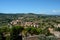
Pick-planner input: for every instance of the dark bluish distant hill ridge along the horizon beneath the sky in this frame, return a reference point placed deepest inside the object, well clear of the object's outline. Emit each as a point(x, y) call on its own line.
point(58, 14)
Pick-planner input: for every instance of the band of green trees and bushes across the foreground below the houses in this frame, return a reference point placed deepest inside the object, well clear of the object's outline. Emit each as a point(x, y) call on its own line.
point(15, 32)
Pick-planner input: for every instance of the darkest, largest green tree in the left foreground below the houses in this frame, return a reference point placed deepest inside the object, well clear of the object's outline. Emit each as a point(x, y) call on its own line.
point(15, 31)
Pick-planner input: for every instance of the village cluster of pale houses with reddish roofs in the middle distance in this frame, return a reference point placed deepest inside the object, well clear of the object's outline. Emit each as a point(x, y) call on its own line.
point(22, 23)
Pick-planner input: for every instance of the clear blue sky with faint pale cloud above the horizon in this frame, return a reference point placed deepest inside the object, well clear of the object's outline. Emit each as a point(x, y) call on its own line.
point(30, 6)
